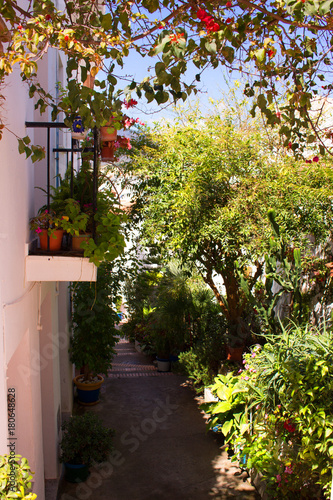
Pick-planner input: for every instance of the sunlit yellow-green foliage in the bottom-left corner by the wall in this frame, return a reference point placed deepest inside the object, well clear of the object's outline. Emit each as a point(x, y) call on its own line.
point(15, 477)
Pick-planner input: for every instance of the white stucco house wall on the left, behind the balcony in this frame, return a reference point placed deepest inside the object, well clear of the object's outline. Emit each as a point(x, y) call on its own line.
point(29, 323)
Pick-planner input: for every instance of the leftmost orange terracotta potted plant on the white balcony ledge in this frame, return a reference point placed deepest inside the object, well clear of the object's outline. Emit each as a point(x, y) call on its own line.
point(47, 224)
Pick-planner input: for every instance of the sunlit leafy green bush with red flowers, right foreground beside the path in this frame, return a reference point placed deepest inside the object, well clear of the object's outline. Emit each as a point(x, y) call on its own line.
point(277, 413)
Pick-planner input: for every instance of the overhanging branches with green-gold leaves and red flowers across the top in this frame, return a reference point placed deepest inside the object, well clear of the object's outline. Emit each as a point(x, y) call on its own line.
point(284, 46)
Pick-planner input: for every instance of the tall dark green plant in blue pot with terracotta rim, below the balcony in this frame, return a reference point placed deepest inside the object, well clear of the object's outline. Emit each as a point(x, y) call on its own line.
point(94, 333)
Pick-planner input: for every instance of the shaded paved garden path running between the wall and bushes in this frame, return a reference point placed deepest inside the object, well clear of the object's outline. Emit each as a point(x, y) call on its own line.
point(162, 450)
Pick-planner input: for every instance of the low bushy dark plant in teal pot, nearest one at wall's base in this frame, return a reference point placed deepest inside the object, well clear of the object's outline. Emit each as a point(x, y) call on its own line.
point(85, 440)
